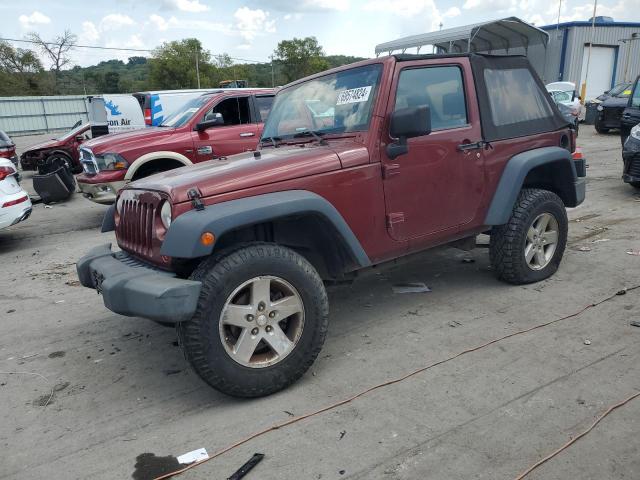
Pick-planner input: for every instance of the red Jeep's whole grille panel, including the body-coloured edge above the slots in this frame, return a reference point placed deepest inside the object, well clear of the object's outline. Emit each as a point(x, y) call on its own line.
point(136, 228)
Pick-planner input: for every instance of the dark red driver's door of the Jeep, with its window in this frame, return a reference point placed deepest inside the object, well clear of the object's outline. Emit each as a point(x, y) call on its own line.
point(437, 186)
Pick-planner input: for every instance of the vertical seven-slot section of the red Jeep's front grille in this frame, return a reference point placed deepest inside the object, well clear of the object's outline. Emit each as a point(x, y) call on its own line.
point(135, 229)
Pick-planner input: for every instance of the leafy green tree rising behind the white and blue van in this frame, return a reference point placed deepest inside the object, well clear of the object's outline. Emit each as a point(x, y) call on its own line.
point(173, 65)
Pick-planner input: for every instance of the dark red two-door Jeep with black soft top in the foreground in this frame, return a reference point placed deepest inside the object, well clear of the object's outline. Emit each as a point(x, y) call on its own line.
point(358, 166)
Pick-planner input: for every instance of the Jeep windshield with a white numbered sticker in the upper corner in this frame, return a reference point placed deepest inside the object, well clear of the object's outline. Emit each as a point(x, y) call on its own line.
point(335, 103)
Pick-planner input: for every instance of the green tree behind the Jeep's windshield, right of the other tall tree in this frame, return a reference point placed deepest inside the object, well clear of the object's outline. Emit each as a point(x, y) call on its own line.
point(300, 57)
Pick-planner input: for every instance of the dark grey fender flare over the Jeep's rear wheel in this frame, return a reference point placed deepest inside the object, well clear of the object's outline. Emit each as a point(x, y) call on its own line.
point(516, 171)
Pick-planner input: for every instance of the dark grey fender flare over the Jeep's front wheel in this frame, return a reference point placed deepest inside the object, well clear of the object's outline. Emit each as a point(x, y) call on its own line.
point(183, 237)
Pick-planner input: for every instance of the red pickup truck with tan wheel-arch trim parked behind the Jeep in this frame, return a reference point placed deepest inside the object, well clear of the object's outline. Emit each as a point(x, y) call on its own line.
point(214, 125)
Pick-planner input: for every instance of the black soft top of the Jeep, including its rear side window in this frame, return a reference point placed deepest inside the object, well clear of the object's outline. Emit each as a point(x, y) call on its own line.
point(512, 99)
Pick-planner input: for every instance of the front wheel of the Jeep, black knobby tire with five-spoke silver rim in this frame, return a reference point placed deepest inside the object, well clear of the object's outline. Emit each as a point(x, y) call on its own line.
point(261, 320)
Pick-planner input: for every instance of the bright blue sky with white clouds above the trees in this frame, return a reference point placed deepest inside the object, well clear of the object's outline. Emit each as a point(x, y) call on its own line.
point(251, 29)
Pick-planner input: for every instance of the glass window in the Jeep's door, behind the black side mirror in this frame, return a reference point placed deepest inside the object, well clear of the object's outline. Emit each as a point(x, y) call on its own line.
point(440, 88)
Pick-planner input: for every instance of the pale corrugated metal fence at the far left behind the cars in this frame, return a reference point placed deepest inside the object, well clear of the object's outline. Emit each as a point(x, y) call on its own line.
point(30, 115)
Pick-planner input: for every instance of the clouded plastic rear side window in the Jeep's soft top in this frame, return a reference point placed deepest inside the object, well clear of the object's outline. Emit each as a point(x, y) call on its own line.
point(514, 97)
